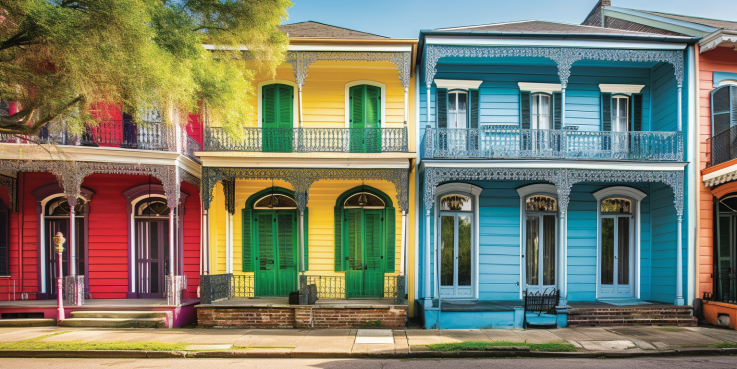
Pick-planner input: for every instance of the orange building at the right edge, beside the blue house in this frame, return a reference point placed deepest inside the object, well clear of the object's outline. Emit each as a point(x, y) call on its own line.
point(713, 173)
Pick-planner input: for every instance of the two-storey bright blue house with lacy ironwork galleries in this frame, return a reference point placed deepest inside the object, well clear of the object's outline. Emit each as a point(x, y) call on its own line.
point(552, 160)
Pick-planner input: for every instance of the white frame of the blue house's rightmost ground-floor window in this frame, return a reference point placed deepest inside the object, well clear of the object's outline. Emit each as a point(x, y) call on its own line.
point(636, 197)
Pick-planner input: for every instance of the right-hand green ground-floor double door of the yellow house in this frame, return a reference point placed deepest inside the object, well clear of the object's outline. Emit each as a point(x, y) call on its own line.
point(365, 272)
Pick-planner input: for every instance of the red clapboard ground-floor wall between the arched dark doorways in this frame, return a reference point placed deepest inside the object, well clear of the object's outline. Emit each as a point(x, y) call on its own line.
point(107, 234)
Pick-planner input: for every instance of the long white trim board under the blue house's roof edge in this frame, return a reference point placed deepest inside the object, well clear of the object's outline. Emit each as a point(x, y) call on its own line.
point(507, 41)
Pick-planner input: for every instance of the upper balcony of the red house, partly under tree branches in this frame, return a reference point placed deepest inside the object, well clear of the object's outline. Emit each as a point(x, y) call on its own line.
point(126, 134)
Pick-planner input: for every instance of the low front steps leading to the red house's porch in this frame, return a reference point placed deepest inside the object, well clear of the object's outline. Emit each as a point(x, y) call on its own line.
point(116, 319)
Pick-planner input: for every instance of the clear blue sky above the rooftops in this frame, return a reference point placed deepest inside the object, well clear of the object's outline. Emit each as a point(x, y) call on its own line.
point(404, 18)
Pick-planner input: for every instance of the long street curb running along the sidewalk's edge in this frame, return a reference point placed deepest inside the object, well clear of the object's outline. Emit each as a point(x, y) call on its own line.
point(235, 354)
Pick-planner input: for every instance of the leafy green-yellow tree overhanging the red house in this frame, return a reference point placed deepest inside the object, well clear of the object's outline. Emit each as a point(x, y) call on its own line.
point(67, 59)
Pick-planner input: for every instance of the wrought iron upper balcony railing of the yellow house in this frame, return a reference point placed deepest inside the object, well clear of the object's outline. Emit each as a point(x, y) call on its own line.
point(348, 140)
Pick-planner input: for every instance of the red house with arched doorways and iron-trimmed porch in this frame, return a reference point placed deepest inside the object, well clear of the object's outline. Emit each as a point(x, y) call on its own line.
point(125, 195)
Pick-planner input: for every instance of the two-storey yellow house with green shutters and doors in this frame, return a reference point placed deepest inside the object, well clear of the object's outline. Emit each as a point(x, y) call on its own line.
point(318, 196)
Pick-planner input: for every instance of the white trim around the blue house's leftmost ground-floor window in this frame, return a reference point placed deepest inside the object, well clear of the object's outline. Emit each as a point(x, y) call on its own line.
point(473, 191)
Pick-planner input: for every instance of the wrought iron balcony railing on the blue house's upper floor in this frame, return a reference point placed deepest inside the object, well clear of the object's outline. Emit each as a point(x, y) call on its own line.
point(511, 142)
